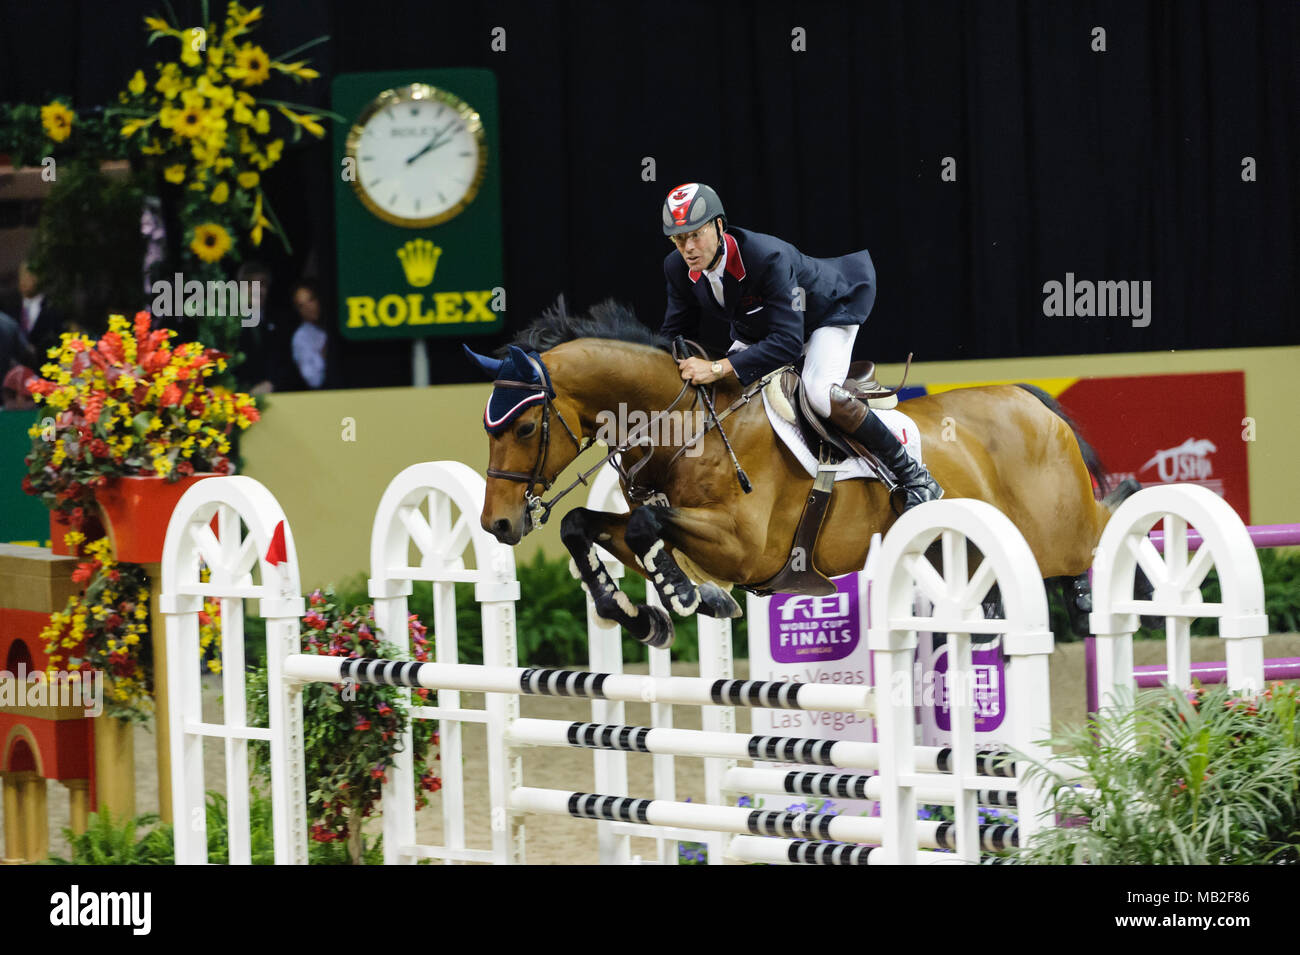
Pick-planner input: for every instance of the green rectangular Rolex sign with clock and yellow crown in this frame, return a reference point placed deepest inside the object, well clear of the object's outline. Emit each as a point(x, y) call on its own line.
point(418, 205)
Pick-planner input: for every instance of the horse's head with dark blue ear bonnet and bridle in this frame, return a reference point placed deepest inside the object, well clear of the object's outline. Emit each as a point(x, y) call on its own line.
point(534, 436)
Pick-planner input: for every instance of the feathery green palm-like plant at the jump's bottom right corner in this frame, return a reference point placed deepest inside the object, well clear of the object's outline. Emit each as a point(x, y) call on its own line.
point(1201, 779)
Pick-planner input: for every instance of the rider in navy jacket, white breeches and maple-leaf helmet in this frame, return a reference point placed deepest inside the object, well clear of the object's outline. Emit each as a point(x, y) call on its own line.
point(779, 303)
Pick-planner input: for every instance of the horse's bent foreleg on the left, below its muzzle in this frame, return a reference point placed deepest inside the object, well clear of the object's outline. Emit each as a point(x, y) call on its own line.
point(580, 531)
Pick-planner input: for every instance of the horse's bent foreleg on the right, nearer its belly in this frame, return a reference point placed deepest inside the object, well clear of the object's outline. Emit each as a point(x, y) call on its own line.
point(652, 531)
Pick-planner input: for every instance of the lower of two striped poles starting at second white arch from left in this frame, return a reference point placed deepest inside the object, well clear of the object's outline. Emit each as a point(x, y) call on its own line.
point(730, 819)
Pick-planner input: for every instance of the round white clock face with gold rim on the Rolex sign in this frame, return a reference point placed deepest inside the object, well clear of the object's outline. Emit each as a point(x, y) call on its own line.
point(421, 155)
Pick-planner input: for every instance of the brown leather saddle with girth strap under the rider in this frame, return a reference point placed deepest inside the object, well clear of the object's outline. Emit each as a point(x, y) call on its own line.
point(787, 396)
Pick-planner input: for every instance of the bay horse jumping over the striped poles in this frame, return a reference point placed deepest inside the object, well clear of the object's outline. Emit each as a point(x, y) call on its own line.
point(1006, 445)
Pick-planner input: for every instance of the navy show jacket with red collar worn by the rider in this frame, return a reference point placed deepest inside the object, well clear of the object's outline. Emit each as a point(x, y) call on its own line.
point(759, 290)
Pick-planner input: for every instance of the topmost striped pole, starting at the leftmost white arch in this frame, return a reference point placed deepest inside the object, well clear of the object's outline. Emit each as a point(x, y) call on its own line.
point(306, 668)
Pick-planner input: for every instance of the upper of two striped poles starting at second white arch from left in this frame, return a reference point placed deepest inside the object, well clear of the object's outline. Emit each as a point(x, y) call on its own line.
point(694, 743)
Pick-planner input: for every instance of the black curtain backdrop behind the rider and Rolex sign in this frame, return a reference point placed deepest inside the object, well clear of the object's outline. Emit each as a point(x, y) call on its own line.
point(1124, 164)
